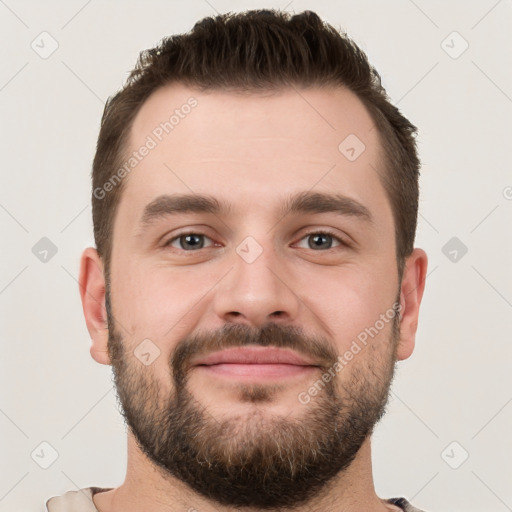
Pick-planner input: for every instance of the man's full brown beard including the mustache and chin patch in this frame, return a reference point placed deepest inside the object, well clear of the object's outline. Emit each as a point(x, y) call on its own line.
point(258, 459)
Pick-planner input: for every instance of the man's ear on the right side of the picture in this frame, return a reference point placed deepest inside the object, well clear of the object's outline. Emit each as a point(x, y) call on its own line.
point(413, 284)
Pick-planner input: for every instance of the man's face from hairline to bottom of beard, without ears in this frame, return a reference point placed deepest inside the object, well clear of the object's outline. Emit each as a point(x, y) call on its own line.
point(311, 280)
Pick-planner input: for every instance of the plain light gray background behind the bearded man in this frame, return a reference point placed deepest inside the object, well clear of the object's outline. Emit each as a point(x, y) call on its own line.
point(455, 387)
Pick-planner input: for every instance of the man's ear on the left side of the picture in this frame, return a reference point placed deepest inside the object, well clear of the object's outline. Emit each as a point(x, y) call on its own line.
point(92, 293)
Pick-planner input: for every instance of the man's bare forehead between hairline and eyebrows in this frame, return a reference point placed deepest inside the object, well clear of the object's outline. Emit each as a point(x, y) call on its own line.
point(252, 149)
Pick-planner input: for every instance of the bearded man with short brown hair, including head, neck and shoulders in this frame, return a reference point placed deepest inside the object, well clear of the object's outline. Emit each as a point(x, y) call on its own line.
point(255, 200)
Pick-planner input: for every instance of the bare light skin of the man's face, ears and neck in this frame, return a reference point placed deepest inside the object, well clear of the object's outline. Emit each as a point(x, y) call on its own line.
point(252, 151)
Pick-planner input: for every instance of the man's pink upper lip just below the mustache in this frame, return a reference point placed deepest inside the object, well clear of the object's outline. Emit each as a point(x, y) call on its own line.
point(254, 355)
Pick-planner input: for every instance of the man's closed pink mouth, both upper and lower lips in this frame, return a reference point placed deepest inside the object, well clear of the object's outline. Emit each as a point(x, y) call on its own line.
point(256, 363)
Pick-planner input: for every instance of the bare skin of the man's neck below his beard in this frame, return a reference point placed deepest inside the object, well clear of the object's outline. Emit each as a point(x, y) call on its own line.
point(147, 487)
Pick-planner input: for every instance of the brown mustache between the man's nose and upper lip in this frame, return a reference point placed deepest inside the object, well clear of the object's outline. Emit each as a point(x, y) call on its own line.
point(241, 335)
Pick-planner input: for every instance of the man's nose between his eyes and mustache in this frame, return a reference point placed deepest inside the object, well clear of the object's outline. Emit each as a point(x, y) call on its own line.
point(257, 291)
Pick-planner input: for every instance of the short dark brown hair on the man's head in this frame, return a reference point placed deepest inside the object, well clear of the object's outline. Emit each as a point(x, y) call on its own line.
point(250, 51)
